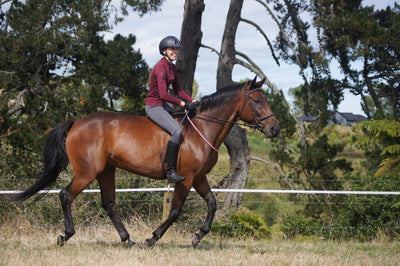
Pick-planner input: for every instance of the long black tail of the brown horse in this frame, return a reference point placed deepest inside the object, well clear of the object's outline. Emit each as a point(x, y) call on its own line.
point(55, 160)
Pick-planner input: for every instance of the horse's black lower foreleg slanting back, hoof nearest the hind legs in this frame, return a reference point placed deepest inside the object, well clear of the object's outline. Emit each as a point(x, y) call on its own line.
point(180, 193)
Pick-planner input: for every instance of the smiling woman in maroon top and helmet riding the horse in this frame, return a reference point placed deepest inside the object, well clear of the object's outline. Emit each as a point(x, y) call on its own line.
point(157, 109)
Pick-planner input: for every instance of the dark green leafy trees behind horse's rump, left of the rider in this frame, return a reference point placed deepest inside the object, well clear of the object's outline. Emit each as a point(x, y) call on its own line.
point(55, 65)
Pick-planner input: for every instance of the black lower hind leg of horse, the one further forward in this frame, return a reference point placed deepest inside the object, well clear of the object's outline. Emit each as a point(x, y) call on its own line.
point(106, 181)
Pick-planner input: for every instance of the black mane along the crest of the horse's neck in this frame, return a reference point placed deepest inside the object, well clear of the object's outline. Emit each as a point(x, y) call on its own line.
point(219, 97)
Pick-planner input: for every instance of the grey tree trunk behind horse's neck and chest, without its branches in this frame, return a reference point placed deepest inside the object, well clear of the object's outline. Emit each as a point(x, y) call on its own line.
point(236, 141)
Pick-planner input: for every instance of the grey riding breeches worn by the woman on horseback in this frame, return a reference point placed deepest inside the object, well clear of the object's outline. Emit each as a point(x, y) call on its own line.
point(160, 114)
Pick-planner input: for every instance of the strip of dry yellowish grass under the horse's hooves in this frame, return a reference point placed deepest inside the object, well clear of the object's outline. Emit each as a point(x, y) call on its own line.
point(24, 244)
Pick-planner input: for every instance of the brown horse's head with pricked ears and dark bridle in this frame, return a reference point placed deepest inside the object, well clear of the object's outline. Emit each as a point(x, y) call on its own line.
point(256, 110)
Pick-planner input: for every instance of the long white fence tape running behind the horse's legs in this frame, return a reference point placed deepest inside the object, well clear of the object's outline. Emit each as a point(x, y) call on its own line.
point(271, 191)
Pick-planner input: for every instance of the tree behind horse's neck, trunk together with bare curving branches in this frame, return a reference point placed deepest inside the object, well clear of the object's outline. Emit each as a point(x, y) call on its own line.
point(236, 141)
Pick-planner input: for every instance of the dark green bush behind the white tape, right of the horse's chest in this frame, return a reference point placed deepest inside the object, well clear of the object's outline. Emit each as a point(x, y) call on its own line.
point(314, 167)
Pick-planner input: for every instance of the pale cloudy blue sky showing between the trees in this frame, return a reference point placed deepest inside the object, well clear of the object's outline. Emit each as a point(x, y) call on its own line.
point(151, 28)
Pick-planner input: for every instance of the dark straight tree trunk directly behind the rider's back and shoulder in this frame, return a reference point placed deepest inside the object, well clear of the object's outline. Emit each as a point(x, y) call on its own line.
point(191, 39)
